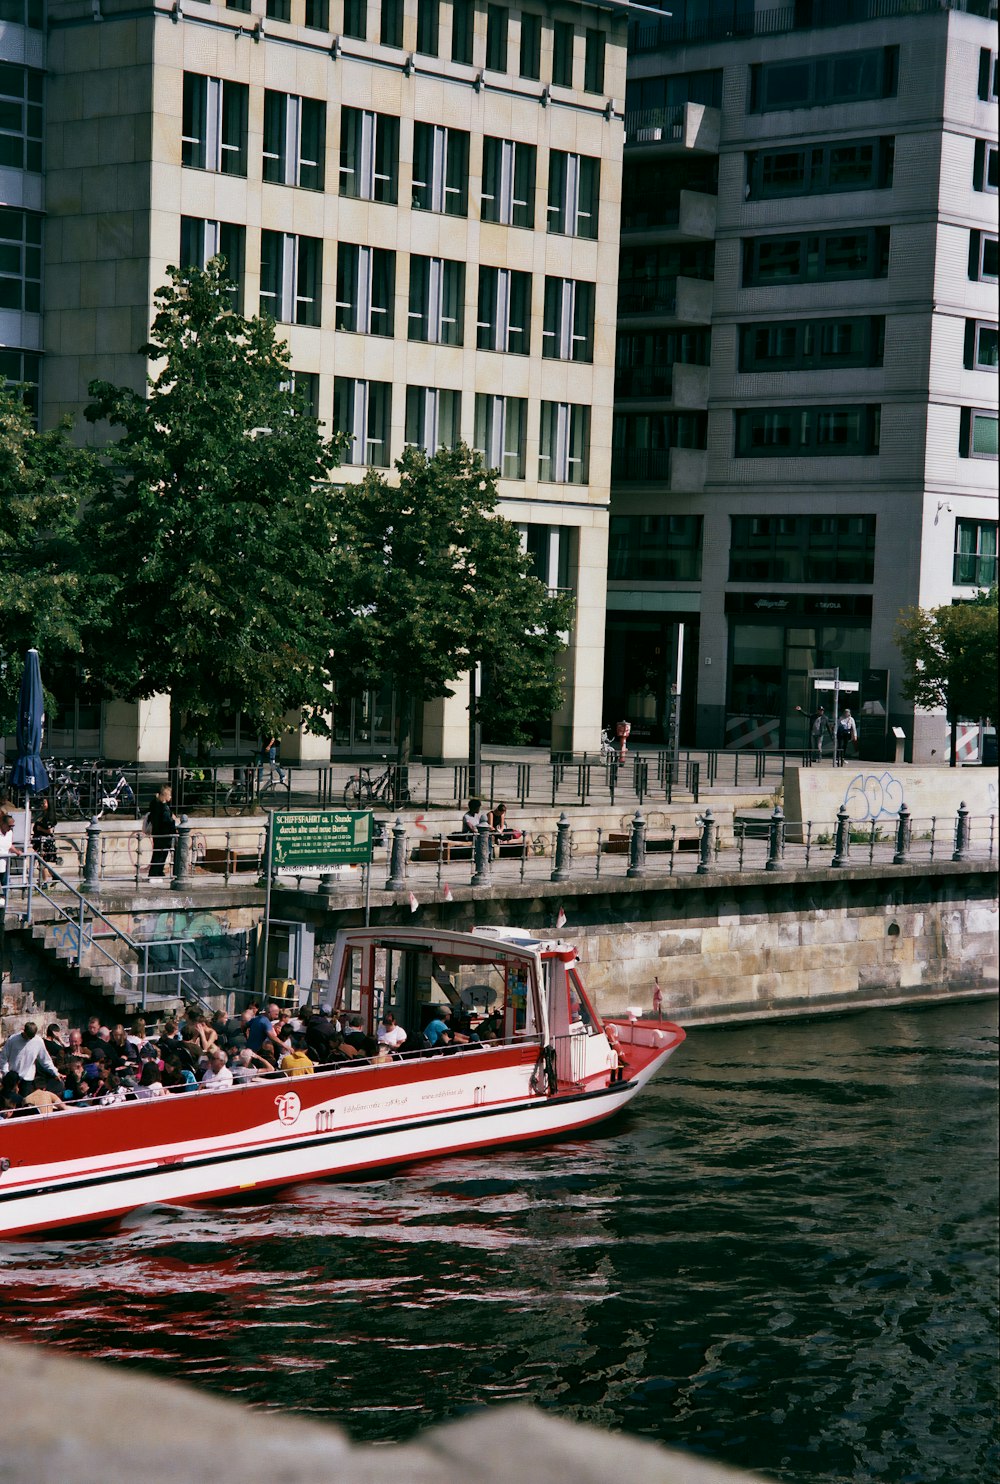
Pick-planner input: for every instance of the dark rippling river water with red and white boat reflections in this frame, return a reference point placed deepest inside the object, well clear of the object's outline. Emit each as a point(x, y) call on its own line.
point(783, 1256)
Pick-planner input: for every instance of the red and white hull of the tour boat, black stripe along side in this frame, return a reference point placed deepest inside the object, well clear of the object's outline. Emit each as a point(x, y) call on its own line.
point(84, 1167)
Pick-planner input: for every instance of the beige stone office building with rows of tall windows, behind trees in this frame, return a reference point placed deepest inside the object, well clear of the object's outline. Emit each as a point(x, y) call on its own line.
point(424, 194)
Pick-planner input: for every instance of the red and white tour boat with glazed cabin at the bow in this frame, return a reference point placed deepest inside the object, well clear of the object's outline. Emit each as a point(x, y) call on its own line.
point(554, 1068)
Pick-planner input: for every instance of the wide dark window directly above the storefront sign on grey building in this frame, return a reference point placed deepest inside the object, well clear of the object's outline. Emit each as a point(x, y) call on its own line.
point(803, 548)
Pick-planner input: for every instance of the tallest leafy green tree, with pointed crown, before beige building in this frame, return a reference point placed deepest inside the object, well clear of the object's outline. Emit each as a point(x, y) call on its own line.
point(219, 522)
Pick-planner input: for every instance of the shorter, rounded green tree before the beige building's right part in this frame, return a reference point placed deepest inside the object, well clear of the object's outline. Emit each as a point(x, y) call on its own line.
point(428, 581)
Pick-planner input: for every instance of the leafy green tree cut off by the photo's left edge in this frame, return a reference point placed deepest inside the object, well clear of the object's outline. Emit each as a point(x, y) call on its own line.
point(47, 593)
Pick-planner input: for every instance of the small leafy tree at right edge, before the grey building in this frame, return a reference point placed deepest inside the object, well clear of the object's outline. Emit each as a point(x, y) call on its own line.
point(950, 660)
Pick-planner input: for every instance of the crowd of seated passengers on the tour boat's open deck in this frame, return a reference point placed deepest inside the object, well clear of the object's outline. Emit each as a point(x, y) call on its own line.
point(102, 1066)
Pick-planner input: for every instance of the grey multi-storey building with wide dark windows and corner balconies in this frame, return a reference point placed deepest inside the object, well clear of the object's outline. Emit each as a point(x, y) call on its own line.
point(806, 397)
